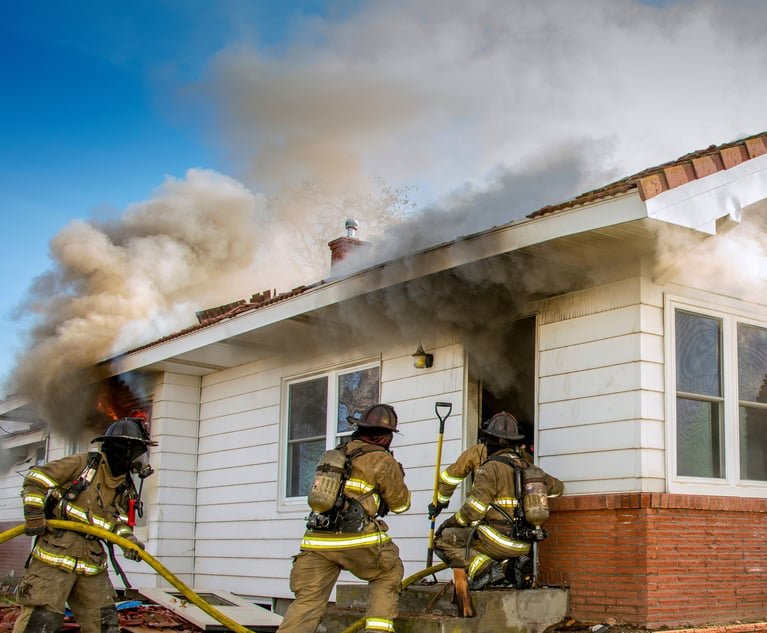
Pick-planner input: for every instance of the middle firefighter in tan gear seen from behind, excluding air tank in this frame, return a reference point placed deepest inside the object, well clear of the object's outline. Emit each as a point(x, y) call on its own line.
point(352, 536)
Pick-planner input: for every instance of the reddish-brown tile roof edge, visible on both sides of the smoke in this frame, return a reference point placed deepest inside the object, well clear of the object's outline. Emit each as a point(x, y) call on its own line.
point(648, 183)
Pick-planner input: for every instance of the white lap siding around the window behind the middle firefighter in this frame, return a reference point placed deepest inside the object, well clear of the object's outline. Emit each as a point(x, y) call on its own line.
point(244, 537)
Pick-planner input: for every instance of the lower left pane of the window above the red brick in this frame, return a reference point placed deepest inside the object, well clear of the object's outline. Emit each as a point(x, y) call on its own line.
point(699, 438)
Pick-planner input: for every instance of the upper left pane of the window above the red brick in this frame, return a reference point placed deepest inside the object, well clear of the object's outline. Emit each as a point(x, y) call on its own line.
point(697, 354)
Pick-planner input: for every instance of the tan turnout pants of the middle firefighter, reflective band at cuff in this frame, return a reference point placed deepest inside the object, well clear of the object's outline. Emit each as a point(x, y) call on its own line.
point(315, 573)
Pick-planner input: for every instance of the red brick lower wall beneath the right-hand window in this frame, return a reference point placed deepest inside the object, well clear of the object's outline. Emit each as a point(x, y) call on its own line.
point(659, 559)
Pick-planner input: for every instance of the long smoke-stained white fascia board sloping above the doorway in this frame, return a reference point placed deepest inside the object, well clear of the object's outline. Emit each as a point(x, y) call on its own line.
point(489, 243)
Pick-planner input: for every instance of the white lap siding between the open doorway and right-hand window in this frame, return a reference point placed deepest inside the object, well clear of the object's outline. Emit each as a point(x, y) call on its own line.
point(601, 389)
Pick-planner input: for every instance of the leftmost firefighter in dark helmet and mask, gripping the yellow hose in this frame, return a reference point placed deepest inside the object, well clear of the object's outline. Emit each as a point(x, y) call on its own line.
point(68, 567)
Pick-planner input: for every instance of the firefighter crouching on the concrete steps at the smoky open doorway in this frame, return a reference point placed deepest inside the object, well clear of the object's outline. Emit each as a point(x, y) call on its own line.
point(489, 537)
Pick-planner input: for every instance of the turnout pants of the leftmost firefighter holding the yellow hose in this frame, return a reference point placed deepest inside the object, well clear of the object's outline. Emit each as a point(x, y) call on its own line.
point(45, 590)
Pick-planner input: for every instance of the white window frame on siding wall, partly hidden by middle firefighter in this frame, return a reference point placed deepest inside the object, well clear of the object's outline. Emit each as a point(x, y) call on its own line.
point(284, 502)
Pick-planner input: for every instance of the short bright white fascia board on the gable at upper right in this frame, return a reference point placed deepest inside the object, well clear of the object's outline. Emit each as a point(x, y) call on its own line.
point(699, 203)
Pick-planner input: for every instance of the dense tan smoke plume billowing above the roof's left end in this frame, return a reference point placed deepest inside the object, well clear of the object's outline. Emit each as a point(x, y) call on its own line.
point(127, 282)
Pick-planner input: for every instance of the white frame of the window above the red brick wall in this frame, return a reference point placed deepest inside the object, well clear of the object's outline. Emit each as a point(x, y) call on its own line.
point(730, 484)
